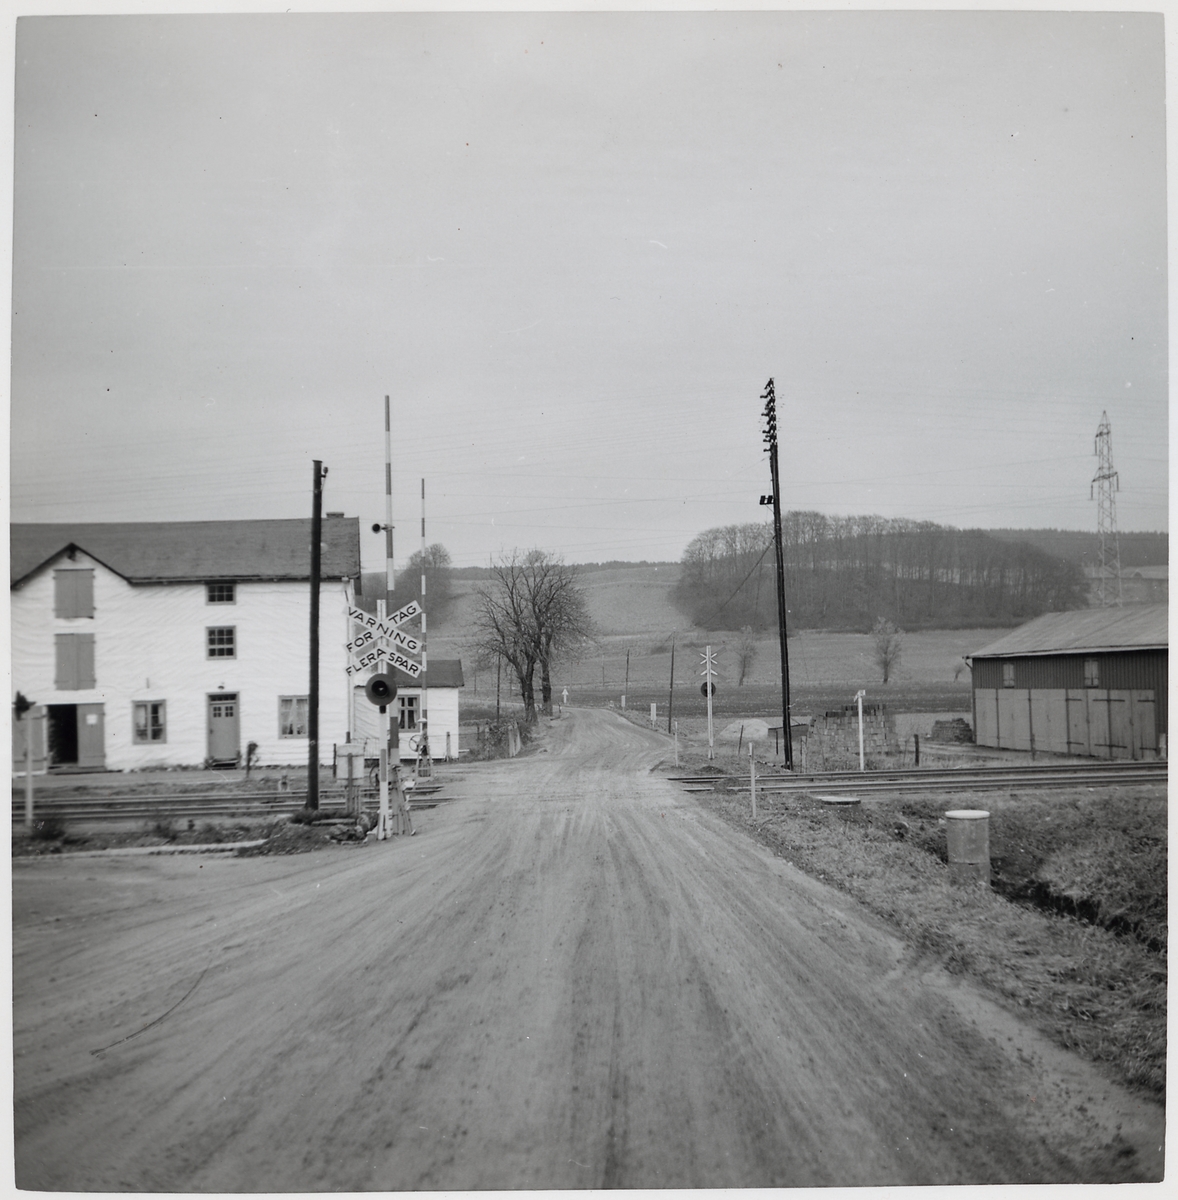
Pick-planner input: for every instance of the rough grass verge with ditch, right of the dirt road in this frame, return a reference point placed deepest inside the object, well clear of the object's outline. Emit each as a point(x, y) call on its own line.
point(1091, 989)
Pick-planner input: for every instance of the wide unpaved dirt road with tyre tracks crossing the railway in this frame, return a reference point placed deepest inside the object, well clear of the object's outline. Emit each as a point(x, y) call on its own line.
point(573, 977)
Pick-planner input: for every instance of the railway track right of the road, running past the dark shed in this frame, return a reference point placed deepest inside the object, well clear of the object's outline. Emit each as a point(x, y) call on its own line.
point(966, 779)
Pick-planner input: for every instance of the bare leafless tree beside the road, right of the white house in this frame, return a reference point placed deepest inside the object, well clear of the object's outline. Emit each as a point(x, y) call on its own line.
point(531, 613)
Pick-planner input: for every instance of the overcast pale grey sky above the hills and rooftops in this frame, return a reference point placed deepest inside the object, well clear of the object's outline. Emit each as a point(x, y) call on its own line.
point(573, 249)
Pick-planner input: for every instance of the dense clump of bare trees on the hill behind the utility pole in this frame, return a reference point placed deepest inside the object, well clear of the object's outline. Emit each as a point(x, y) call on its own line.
point(846, 573)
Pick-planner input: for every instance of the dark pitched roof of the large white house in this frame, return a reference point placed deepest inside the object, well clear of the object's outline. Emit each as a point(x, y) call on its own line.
point(187, 551)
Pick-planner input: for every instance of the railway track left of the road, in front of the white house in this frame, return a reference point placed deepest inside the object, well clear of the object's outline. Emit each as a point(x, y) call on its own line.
point(212, 806)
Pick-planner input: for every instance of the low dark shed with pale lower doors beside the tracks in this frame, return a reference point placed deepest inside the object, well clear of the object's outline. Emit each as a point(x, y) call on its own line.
point(1092, 682)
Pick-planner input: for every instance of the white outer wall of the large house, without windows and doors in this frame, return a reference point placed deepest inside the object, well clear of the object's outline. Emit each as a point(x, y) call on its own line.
point(151, 645)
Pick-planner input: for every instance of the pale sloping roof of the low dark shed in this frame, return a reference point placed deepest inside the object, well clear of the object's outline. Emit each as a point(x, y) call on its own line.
point(1086, 632)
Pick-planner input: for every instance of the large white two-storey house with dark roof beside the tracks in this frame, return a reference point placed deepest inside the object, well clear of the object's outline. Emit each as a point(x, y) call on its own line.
point(179, 643)
